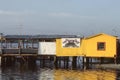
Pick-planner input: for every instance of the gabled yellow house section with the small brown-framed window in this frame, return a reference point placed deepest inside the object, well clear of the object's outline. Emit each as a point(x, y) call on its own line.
point(100, 45)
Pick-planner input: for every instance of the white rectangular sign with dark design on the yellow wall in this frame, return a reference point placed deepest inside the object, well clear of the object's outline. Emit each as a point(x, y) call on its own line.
point(70, 42)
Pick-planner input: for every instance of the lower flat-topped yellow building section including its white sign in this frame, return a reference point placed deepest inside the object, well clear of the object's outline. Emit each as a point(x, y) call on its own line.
point(69, 47)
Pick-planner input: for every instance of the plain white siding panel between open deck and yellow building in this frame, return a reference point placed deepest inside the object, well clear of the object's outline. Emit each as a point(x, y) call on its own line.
point(47, 48)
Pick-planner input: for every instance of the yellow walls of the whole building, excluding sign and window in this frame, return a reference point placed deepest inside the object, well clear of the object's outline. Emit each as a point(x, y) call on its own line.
point(88, 47)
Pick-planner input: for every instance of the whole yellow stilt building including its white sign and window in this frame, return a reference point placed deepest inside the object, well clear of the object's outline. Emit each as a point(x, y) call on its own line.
point(100, 45)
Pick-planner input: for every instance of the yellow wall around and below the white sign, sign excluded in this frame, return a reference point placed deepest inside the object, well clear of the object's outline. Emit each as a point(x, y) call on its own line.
point(60, 51)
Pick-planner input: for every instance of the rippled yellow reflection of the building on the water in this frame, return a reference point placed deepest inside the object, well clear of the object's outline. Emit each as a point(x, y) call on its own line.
point(84, 75)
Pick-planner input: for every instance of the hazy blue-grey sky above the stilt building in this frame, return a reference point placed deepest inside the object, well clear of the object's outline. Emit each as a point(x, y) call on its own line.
point(81, 17)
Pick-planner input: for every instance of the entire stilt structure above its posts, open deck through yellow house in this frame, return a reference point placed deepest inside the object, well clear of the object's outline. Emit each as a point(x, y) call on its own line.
point(100, 45)
